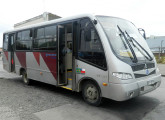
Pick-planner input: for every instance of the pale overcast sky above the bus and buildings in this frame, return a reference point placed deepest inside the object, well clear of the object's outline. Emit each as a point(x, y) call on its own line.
point(146, 14)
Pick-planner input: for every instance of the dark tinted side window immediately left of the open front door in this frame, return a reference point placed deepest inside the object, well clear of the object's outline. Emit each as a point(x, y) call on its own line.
point(45, 38)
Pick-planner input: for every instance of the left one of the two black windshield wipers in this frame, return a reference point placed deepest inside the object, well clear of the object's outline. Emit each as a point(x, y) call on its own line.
point(134, 59)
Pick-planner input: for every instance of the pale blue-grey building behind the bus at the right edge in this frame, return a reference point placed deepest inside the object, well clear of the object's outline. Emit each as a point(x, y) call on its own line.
point(156, 44)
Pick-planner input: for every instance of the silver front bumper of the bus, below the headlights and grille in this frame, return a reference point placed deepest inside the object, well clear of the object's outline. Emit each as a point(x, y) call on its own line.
point(122, 92)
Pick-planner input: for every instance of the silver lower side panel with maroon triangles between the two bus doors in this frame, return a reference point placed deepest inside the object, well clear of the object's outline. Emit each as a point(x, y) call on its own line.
point(42, 70)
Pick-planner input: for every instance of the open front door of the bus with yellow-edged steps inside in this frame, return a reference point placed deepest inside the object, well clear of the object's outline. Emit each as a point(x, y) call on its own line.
point(65, 54)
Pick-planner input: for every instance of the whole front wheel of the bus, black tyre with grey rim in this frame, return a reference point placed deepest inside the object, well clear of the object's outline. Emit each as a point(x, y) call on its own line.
point(91, 93)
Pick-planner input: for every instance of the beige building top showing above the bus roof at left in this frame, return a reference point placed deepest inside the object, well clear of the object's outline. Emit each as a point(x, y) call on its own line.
point(46, 16)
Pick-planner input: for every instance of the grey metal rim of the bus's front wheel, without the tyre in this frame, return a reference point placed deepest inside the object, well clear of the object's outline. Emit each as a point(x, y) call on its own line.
point(91, 93)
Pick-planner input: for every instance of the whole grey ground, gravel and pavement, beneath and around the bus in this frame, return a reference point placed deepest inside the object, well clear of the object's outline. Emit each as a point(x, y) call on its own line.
point(46, 102)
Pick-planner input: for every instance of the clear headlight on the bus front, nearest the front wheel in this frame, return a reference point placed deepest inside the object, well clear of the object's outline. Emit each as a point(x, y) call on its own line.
point(123, 76)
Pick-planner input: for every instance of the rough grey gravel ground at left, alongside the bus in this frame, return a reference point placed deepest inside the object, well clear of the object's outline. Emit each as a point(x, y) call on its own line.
point(19, 102)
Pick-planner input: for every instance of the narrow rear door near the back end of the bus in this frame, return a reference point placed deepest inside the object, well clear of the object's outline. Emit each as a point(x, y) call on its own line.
point(11, 52)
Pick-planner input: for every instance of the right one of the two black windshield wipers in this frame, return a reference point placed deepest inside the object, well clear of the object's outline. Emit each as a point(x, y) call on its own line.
point(132, 39)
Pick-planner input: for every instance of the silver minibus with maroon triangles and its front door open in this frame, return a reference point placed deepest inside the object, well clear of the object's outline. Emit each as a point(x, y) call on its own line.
point(100, 56)
